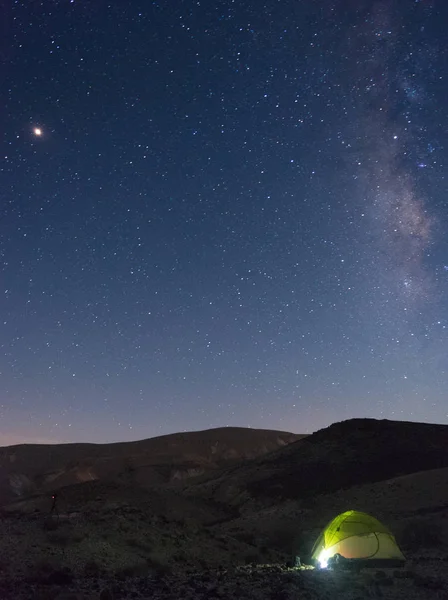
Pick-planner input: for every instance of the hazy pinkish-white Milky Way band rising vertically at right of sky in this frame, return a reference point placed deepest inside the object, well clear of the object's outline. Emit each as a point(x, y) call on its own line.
point(402, 223)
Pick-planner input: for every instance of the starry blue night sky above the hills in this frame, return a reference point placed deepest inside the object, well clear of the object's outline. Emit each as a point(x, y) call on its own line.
point(221, 213)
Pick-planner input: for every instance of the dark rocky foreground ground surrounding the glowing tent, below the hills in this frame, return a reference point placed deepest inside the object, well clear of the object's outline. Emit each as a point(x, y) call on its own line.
point(122, 552)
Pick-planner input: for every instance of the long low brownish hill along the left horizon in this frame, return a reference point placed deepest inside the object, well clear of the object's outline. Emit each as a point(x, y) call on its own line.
point(26, 469)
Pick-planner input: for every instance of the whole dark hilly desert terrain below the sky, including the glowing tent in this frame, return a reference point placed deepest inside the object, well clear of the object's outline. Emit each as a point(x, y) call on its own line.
point(265, 524)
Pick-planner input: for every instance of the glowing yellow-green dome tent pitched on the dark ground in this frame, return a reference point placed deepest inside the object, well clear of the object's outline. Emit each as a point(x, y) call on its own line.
point(356, 535)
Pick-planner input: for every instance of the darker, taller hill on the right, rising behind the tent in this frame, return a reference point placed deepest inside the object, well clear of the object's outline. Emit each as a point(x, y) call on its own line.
point(349, 453)
